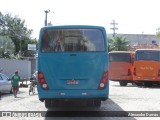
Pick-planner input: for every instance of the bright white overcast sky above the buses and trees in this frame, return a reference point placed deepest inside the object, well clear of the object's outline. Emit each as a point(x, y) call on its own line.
point(132, 16)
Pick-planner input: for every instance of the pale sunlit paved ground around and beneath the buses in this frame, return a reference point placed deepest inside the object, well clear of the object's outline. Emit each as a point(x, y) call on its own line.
point(129, 98)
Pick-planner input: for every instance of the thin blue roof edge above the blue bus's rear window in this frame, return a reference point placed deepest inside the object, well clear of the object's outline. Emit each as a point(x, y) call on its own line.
point(73, 26)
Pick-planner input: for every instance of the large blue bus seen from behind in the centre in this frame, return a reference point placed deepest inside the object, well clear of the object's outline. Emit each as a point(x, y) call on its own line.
point(73, 64)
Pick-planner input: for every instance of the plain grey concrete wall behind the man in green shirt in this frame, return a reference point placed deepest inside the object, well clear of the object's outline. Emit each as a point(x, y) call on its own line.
point(10, 65)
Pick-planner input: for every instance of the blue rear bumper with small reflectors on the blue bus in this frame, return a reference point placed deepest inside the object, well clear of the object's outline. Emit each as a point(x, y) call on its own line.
point(73, 94)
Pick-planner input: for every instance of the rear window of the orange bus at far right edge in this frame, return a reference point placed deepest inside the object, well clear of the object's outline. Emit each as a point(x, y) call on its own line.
point(147, 55)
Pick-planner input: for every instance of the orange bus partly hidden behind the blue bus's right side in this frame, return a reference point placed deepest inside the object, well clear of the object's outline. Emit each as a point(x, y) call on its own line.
point(121, 67)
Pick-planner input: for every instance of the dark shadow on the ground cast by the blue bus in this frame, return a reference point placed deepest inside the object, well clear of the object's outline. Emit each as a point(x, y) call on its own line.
point(108, 110)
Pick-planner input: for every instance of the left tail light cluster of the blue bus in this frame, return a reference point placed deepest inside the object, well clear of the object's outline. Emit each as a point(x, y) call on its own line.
point(42, 81)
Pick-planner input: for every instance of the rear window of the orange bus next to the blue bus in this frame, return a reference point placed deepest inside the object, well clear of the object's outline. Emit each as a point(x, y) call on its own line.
point(119, 57)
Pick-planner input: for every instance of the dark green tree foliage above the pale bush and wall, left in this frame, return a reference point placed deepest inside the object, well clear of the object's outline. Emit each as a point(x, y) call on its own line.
point(16, 30)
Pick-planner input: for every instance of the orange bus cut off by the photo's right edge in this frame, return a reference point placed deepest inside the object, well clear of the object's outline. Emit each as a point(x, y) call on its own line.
point(146, 67)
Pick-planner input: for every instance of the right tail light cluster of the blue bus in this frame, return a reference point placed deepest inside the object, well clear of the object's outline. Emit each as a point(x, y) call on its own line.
point(103, 81)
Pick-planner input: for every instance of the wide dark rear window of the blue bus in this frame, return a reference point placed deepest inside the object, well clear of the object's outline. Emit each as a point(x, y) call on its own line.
point(67, 40)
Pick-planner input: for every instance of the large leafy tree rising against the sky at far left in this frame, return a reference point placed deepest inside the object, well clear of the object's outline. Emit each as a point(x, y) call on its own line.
point(15, 28)
